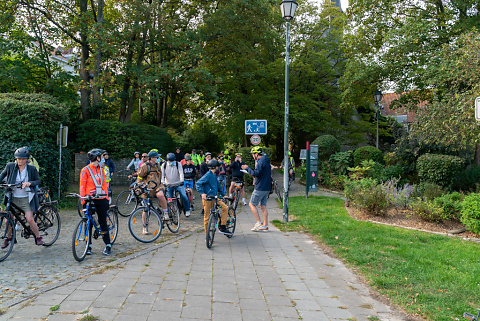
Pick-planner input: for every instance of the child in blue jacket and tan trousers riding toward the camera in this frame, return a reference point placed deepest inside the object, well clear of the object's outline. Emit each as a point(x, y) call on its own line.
point(208, 186)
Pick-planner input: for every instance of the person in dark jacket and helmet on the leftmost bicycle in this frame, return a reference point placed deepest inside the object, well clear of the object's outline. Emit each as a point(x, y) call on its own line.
point(19, 172)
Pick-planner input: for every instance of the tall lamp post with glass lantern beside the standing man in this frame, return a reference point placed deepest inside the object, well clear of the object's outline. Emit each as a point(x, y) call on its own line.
point(288, 8)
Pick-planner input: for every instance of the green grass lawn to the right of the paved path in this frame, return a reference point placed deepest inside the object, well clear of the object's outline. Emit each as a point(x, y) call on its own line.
point(433, 276)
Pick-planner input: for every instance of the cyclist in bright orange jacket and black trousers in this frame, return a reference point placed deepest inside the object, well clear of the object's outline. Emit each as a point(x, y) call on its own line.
point(93, 182)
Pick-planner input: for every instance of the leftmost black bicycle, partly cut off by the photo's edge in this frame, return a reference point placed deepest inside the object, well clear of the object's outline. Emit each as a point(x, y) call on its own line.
point(46, 217)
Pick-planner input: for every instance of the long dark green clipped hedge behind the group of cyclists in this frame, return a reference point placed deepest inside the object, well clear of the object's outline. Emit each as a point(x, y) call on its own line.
point(121, 139)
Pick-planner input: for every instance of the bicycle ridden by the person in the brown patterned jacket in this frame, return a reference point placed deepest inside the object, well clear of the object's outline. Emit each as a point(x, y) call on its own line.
point(145, 223)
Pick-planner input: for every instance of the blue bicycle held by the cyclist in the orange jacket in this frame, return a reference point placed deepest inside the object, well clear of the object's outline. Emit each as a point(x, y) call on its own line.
point(81, 234)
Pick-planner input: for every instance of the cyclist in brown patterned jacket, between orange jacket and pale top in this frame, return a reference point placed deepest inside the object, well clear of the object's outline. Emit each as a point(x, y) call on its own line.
point(150, 171)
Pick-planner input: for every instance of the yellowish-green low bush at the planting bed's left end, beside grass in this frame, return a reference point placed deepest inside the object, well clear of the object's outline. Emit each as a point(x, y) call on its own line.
point(367, 195)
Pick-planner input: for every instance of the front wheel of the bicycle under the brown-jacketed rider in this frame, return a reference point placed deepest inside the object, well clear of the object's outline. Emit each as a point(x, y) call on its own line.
point(145, 228)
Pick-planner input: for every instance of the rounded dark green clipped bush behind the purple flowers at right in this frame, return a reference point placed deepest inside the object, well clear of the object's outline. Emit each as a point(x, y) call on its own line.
point(439, 169)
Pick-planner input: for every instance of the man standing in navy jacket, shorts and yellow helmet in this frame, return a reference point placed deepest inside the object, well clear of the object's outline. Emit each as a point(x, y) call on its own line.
point(263, 185)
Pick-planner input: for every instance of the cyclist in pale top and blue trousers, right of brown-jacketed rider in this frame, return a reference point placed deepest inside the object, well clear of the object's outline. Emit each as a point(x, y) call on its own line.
point(172, 174)
